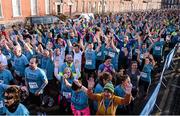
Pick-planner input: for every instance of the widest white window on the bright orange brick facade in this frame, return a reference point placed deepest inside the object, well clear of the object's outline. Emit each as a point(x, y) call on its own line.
point(16, 8)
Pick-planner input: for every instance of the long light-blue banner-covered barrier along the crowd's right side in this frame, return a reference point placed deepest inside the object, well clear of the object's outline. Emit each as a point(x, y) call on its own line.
point(152, 100)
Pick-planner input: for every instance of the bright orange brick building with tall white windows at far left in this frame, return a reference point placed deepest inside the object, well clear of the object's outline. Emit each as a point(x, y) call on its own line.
point(12, 11)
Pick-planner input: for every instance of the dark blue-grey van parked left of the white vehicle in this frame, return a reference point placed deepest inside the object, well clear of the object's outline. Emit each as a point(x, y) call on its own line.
point(42, 20)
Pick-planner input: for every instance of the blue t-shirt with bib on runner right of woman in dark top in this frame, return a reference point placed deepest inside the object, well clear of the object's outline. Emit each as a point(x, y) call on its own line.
point(146, 72)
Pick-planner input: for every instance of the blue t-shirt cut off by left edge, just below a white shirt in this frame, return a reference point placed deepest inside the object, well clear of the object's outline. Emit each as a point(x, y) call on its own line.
point(5, 76)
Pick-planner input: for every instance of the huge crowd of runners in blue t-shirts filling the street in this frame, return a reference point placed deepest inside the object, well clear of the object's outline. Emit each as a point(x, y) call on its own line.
point(87, 67)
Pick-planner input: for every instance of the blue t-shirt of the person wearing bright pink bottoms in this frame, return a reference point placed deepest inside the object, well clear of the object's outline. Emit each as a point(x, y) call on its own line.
point(79, 100)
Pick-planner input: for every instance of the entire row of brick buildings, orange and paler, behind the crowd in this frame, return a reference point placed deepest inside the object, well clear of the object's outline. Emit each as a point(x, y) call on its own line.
point(12, 11)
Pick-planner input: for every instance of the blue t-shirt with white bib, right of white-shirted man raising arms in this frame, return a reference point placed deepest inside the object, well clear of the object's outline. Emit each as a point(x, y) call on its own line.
point(90, 56)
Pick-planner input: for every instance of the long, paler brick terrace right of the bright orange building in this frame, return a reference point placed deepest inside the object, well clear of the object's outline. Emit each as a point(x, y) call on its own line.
point(99, 6)
